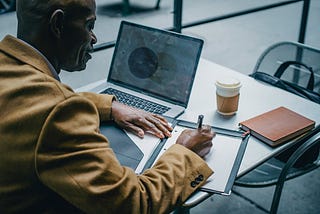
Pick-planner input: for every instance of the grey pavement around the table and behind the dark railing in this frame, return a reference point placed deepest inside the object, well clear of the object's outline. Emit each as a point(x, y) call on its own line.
point(235, 43)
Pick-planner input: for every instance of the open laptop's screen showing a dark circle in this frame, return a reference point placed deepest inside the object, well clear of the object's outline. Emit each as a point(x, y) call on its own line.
point(155, 62)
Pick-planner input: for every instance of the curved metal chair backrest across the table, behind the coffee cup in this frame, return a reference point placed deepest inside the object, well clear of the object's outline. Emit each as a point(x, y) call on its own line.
point(301, 63)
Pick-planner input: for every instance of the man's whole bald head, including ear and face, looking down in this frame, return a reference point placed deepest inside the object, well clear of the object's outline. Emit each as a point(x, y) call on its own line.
point(60, 29)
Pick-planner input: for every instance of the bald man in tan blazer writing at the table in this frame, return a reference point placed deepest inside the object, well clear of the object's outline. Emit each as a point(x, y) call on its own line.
point(53, 158)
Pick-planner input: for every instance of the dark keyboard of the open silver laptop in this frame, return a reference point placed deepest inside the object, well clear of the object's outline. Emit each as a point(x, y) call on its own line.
point(137, 102)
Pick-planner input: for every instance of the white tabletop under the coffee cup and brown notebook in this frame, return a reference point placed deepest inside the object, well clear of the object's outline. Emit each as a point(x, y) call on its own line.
point(255, 98)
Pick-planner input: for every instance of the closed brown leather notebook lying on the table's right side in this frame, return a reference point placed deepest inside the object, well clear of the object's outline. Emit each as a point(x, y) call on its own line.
point(277, 126)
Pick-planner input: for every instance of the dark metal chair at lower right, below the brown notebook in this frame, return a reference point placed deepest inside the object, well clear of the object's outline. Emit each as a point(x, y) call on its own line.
point(275, 172)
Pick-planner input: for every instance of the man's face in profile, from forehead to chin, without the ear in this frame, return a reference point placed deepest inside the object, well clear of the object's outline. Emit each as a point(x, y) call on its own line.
point(77, 37)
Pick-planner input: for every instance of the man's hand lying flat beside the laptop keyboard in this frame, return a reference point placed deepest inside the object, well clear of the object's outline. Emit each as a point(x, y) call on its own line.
point(139, 121)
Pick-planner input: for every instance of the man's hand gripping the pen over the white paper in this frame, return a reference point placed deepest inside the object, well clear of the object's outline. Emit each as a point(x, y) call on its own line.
point(197, 140)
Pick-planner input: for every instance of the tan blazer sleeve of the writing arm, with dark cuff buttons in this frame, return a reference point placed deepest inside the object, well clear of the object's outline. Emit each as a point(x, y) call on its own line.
point(75, 160)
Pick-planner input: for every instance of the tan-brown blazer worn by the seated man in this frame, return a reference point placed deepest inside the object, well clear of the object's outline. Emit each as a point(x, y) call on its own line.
point(53, 158)
